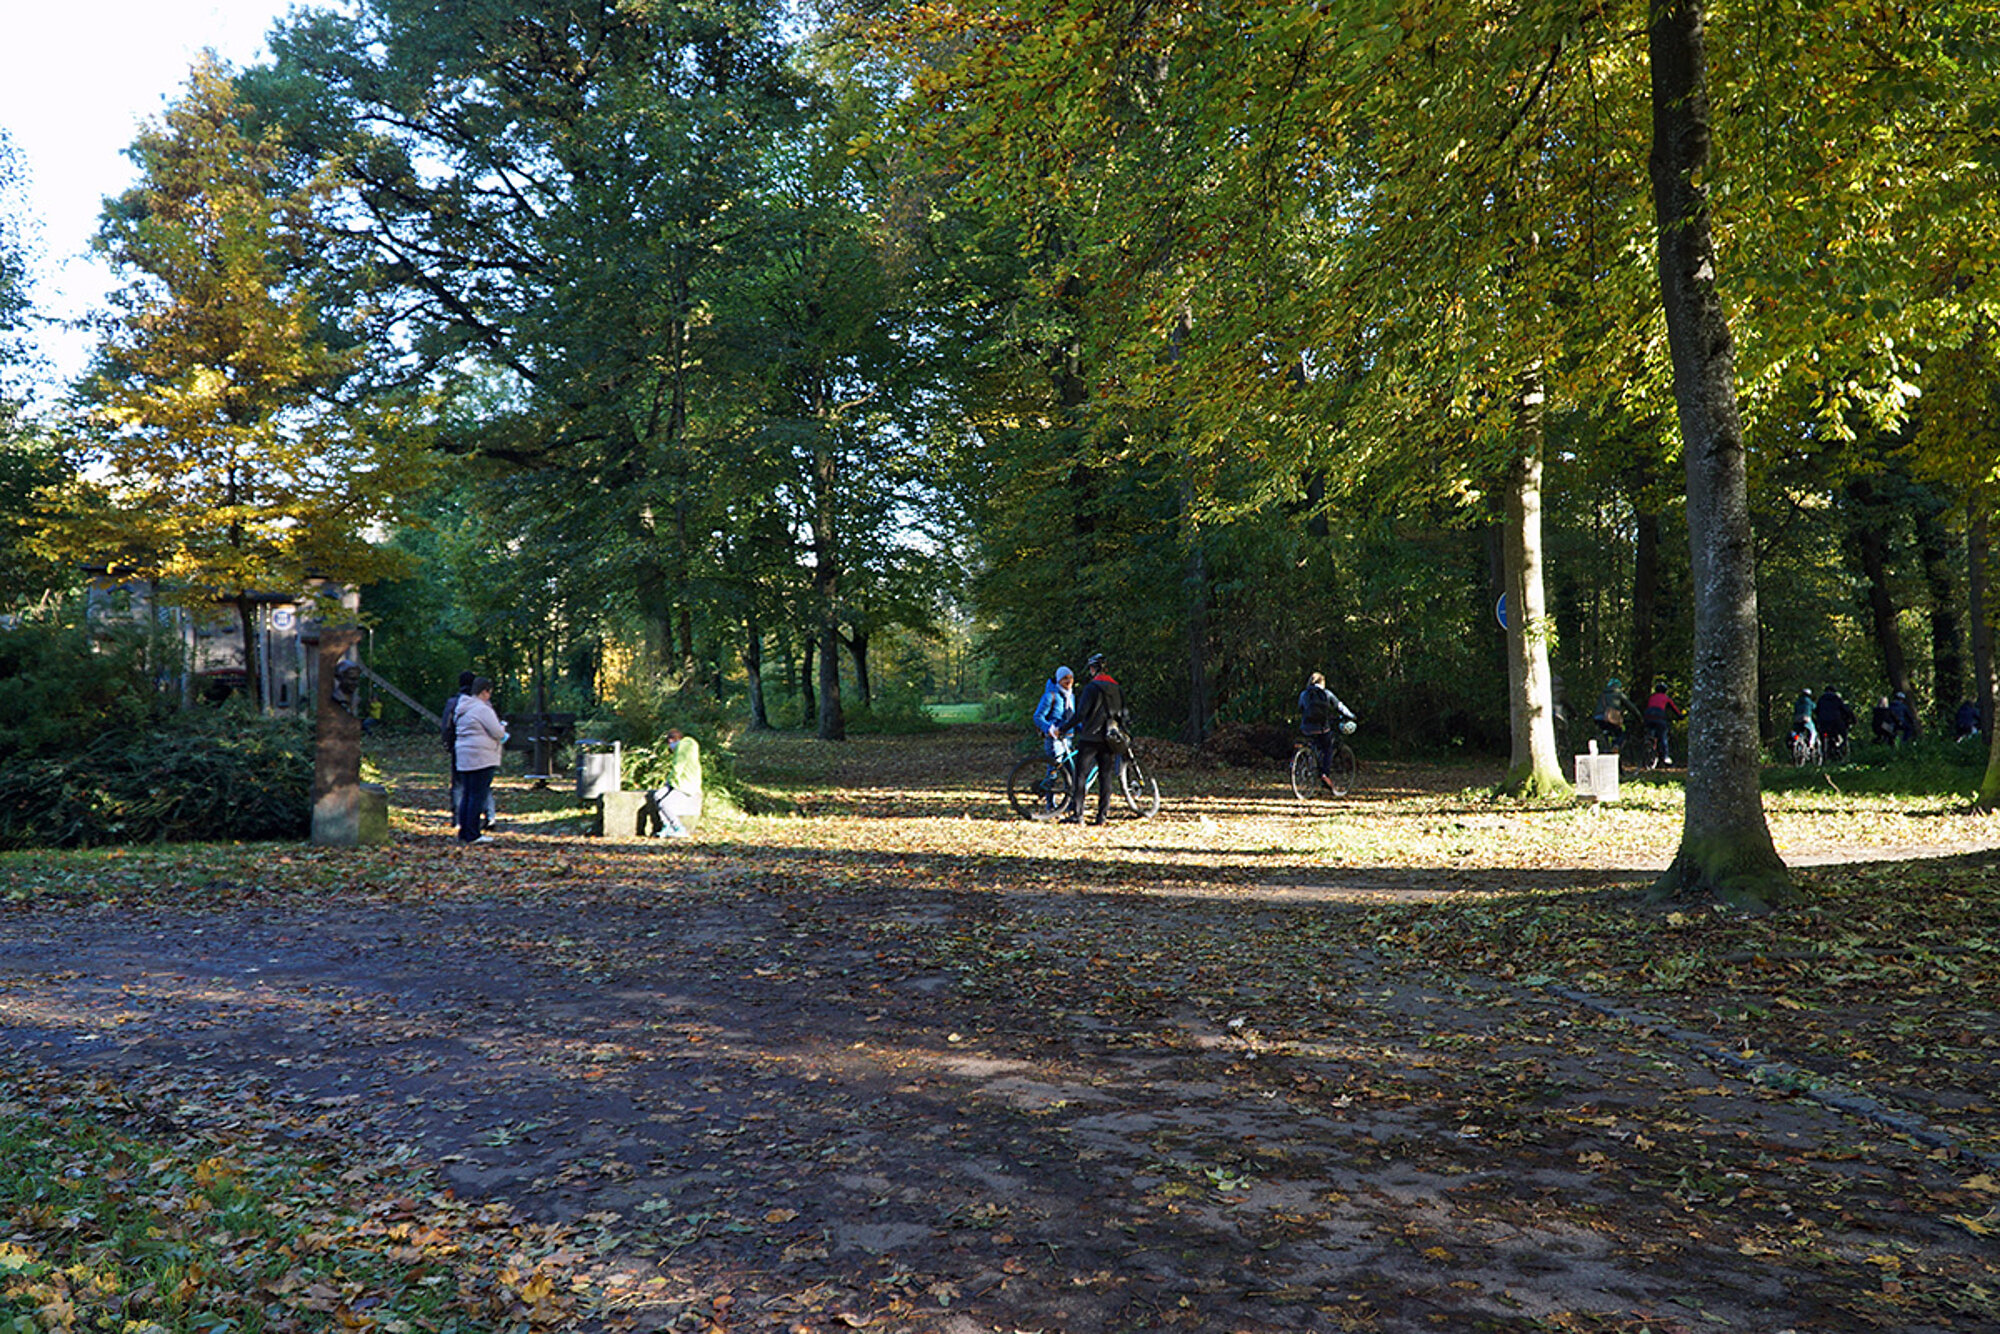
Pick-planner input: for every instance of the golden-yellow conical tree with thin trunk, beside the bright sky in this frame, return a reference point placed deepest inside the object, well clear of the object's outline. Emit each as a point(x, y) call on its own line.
point(233, 459)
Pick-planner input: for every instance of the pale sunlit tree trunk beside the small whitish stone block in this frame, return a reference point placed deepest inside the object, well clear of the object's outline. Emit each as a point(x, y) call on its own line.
point(1535, 769)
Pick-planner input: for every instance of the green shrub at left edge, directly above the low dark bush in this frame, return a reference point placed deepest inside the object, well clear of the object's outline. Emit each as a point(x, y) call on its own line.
point(61, 689)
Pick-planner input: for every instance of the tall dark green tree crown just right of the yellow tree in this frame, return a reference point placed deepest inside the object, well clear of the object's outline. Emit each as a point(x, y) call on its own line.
point(561, 195)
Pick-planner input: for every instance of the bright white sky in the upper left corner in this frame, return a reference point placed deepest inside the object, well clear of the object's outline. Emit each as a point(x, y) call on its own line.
point(81, 77)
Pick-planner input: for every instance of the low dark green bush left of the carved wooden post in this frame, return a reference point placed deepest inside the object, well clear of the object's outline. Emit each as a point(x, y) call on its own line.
point(201, 775)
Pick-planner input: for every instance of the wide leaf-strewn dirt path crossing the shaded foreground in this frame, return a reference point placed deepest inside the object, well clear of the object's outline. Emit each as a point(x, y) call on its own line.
point(1037, 1081)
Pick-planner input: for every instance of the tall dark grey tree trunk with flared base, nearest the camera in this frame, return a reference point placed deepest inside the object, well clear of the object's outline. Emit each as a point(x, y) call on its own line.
point(1725, 843)
